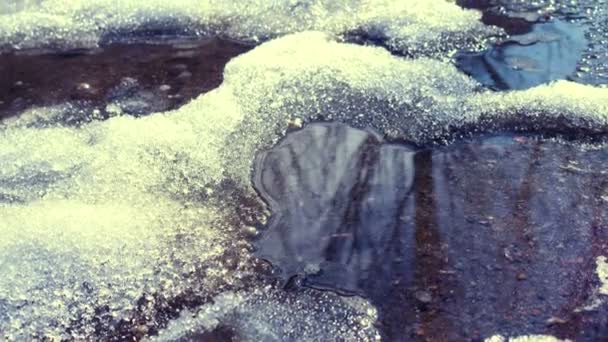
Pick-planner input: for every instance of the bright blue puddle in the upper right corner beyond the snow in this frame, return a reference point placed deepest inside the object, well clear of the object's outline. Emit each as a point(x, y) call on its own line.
point(521, 17)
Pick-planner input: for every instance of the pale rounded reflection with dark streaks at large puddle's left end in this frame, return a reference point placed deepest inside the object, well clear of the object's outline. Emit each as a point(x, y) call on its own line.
point(328, 185)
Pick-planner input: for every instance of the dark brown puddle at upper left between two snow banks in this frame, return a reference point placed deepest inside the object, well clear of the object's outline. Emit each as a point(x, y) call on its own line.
point(120, 78)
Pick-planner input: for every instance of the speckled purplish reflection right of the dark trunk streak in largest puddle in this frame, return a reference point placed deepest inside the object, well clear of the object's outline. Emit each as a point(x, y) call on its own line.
point(520, 218)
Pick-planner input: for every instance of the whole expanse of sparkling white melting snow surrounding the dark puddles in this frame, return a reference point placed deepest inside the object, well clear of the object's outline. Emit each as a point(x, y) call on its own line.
point(97, 217)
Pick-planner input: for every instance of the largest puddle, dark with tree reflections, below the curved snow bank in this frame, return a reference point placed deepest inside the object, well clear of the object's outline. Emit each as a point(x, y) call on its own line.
point(497, 234)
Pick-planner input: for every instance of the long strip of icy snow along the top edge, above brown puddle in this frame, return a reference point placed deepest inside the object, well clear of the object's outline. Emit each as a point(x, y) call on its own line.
point(409, 27)
